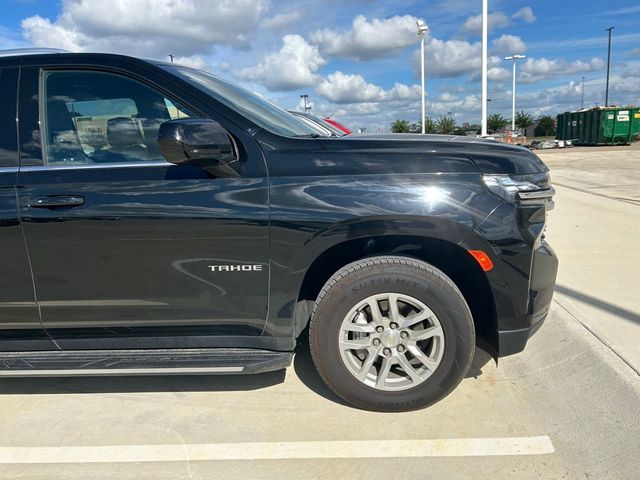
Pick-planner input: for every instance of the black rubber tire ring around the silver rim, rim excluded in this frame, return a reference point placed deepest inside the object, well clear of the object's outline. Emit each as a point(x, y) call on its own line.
point(446, 303)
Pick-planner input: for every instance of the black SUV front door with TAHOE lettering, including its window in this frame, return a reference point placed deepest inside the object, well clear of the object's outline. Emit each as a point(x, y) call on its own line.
point(123, 243)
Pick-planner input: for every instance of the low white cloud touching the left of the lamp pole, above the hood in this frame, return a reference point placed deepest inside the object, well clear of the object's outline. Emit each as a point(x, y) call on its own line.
point(344, 88)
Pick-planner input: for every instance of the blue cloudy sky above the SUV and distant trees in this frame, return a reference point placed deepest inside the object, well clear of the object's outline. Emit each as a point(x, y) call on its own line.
point(359, 60)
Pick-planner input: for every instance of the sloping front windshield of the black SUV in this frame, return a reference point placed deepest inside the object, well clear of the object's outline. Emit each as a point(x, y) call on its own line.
point(260, 111)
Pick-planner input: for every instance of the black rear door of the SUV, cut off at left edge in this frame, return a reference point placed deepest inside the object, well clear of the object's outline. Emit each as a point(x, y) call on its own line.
point(20, 327)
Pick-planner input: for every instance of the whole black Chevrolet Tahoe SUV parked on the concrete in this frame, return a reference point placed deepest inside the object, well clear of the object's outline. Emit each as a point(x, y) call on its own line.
point(156, 219)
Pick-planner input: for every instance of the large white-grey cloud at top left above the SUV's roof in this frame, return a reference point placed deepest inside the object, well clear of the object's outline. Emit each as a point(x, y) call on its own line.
point(148, 27)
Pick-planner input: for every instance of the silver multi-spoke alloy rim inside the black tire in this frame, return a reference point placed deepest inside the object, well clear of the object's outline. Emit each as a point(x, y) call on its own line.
point(391, 341)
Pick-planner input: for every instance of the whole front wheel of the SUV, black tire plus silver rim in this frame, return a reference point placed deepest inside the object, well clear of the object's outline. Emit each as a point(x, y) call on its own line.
point(376, 363)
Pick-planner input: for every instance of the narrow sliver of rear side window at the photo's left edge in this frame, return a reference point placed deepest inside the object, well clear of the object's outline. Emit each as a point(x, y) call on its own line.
point(8, 135)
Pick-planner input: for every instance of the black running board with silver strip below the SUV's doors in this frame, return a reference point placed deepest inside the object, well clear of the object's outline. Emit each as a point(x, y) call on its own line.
point(205, 361)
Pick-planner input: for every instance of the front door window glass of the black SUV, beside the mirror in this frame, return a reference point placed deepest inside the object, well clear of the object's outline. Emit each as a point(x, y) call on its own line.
point(98, 117)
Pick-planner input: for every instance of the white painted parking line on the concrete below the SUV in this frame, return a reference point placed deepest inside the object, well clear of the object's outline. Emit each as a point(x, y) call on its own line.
point(455, 447)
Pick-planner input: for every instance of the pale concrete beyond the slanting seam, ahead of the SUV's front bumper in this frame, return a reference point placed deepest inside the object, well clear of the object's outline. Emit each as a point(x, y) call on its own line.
point(595, 230)
